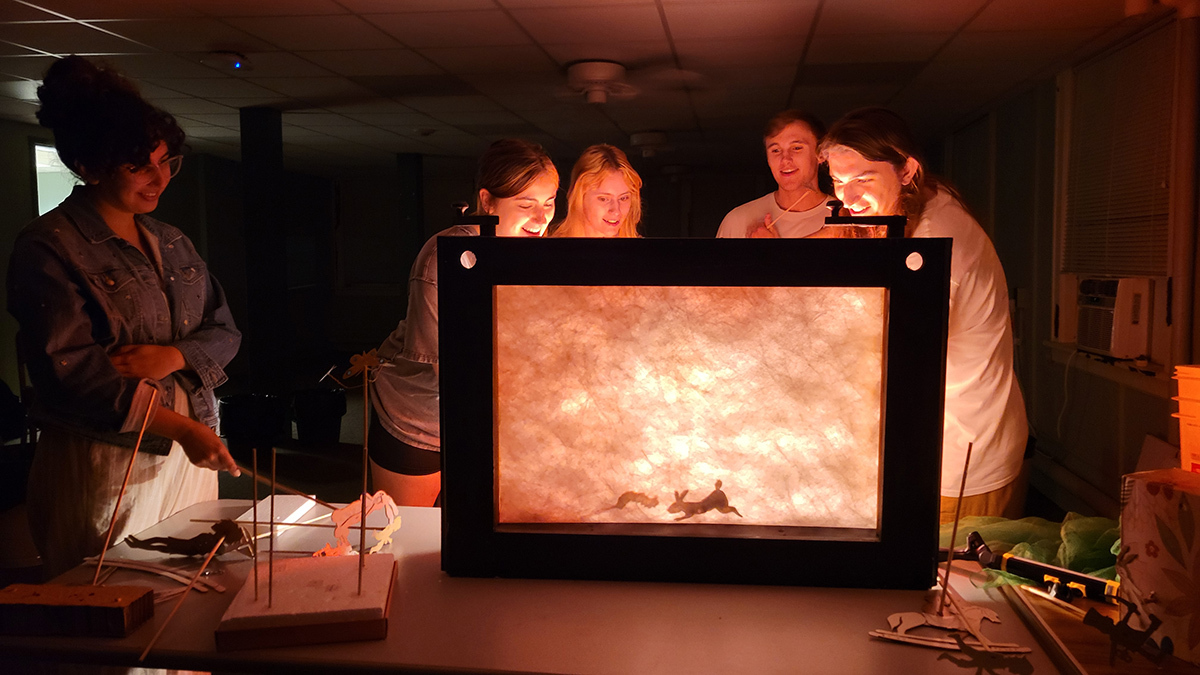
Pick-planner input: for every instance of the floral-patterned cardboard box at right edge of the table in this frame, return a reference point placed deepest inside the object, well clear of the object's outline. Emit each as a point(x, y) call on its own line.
point(1160, 561)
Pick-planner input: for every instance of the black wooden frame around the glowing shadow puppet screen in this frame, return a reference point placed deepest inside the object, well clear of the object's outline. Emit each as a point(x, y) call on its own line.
point(901, 557)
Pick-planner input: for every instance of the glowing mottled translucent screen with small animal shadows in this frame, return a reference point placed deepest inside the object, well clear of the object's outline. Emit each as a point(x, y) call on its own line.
point(611, 399)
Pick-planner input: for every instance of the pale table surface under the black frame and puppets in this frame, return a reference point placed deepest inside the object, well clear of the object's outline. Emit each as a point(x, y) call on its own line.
point(460, 625)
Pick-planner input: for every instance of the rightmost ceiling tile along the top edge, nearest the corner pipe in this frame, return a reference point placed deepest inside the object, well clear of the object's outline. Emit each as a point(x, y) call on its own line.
point(1060, 15)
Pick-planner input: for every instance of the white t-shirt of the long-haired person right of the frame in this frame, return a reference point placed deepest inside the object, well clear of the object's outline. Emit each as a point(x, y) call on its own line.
point(983, 399)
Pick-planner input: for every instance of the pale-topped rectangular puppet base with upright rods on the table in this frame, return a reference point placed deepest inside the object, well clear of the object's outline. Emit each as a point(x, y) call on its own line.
point(315, 601)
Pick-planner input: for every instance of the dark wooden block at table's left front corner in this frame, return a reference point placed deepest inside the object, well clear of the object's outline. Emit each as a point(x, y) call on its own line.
point(49, 610)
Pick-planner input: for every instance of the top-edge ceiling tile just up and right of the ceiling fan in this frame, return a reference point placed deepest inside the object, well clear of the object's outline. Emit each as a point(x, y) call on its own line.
point(746, 20)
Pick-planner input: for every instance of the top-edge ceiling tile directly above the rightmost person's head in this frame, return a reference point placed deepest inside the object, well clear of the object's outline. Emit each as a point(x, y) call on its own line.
point(850, 17)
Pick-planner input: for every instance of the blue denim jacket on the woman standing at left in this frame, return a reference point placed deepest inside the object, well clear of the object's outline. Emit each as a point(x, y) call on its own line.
point(80, 292)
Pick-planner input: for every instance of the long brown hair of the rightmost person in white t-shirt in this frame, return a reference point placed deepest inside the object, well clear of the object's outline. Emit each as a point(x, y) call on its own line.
point(883, 136)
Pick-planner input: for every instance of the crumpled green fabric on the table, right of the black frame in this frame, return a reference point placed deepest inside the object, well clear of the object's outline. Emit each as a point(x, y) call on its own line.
point(1078, 543)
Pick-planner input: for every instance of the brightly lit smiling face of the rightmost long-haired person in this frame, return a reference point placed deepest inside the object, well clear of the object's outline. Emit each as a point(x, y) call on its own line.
point(867, 188)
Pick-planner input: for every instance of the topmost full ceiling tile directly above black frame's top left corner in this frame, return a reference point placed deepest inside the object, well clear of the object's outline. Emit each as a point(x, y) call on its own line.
point(437, 29)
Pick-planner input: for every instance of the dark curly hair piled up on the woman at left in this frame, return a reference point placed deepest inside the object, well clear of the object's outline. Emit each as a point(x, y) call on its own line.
point(100, 120)
